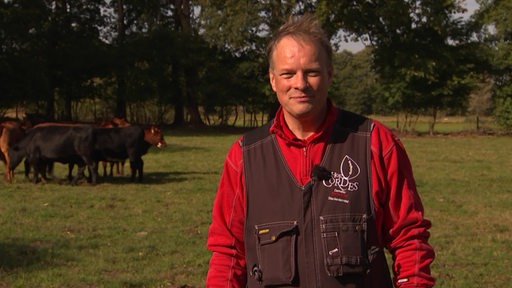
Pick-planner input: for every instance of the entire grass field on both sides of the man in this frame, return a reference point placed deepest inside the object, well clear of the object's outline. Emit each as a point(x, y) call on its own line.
point(120, 234)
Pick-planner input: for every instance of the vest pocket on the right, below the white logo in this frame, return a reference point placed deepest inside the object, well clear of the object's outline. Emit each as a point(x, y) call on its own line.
point(344, 244)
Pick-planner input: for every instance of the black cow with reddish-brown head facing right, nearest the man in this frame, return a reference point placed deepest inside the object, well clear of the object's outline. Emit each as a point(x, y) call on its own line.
point(131, 142)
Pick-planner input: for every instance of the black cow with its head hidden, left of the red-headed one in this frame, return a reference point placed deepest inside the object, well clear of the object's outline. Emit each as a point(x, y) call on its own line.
point(64, 144)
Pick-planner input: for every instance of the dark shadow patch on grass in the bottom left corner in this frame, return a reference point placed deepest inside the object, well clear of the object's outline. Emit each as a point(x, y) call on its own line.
point(19, 254)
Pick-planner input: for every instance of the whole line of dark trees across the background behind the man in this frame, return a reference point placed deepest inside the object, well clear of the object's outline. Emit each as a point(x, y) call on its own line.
point(203, 62)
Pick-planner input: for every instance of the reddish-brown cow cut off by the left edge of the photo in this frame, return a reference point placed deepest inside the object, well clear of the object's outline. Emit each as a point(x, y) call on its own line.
point(11, 132)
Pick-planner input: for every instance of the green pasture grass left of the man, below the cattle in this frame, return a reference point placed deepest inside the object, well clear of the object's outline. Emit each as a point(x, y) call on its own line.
point(117, 233)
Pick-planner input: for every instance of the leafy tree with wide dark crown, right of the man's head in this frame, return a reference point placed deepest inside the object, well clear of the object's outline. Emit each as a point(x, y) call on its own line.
point(416, 49)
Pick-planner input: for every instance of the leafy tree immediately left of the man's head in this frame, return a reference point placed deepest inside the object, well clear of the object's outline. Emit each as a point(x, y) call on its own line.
point(245, 36)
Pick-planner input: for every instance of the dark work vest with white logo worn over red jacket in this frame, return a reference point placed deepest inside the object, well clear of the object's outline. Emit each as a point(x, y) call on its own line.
point(321, 234)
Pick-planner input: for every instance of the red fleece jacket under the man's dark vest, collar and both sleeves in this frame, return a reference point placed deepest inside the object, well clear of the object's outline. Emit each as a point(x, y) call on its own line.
point(402, 229)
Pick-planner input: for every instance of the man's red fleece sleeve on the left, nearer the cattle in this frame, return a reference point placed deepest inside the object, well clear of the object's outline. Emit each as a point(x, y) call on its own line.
point(226, 232)
